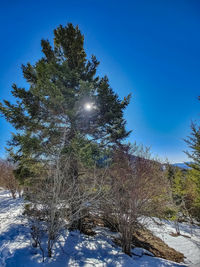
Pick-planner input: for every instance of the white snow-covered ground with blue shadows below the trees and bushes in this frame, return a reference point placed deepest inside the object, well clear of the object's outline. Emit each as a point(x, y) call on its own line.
point(75, 249)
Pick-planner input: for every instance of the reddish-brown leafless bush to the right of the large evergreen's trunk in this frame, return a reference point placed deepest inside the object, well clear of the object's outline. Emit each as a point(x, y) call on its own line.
point(135, 189)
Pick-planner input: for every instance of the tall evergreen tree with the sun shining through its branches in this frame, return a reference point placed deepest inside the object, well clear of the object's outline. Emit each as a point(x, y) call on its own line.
point(65, 102)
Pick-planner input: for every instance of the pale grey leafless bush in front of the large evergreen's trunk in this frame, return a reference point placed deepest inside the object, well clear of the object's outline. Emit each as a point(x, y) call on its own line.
point(58, 198)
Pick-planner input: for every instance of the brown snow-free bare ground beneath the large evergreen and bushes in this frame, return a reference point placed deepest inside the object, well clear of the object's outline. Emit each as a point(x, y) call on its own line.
point(142, 238)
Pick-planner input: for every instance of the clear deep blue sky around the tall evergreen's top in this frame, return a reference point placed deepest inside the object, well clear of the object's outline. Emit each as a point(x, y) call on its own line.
point(148, 48)
